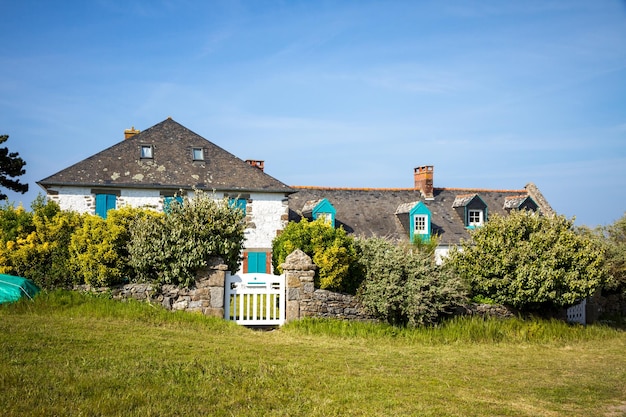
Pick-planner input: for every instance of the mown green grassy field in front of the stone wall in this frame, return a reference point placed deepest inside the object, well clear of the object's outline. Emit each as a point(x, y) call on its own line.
point(68, 354)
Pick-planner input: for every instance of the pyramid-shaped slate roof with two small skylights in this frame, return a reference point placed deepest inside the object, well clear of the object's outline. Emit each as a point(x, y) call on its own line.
point(172, 165)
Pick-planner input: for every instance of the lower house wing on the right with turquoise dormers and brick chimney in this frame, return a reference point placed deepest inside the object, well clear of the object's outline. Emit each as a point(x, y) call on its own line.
point(420, 212)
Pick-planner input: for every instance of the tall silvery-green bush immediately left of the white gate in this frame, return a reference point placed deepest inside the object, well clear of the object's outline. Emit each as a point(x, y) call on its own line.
point(170, 249)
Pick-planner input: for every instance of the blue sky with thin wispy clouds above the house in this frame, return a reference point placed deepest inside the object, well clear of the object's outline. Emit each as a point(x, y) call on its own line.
point(494, 94)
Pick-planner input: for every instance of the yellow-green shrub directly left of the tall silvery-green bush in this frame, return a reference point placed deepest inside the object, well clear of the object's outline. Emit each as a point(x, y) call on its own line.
point(99, 253)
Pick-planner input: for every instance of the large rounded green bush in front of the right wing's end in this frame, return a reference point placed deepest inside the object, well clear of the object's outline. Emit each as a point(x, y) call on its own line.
point(530, 261)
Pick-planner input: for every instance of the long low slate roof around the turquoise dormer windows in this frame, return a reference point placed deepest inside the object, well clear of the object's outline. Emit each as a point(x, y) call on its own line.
point(378, 212)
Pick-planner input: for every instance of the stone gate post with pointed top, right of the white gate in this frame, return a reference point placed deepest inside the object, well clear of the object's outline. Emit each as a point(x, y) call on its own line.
point(299, 273)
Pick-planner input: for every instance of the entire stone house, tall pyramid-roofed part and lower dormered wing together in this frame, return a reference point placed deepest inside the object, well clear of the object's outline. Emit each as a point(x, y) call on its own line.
point(150, 168)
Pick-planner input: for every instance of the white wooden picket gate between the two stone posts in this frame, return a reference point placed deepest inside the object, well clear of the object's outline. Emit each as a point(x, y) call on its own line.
point(255, 299)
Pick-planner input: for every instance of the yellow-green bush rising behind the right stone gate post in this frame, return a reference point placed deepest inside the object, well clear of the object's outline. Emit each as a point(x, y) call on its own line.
point(332, 250)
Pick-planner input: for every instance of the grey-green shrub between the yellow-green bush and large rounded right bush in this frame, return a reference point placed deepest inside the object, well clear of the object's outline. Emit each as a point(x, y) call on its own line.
point(404, 286)
